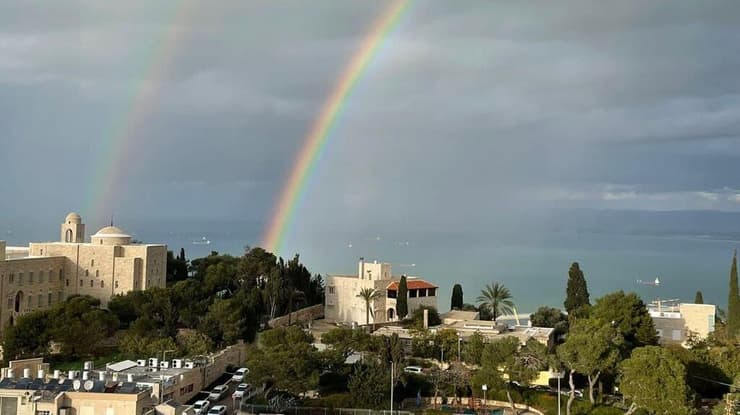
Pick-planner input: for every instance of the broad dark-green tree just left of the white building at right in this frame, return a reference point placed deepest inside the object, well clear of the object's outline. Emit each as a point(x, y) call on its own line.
point(630, 315)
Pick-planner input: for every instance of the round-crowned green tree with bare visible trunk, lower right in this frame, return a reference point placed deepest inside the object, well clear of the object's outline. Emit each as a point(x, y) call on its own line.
point(592, 348)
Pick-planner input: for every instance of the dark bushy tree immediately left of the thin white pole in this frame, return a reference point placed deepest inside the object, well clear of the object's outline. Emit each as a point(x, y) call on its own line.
point(369, 385)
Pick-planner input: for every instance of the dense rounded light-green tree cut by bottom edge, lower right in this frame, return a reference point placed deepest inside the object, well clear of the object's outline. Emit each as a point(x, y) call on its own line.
point(655, 380)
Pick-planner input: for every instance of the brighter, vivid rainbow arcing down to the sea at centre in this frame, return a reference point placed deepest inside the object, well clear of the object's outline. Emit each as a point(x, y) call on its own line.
point(318, 136)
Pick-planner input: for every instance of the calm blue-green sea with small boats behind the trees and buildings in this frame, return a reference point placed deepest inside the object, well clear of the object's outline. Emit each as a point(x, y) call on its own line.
point(687, 251)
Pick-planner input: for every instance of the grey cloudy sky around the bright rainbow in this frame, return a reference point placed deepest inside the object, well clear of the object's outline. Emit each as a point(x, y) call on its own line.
point(469, 110)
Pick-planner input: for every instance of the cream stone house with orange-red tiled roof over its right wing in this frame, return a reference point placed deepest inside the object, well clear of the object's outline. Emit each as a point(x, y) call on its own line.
point(343, 303)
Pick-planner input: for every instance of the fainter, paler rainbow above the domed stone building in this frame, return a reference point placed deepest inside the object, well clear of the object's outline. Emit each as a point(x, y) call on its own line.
point(118, 150)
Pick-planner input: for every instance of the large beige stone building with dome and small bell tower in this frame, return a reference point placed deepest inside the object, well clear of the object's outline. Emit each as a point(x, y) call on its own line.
point(45, 273)
